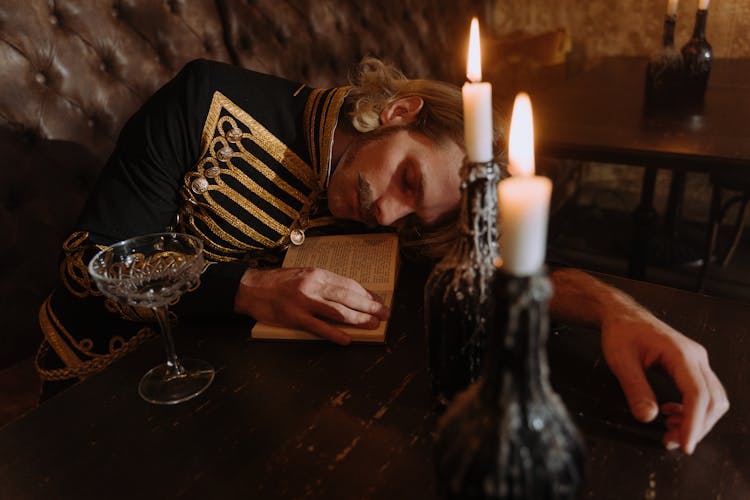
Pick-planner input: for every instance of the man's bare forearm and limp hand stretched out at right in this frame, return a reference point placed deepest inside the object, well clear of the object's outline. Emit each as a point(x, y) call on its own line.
point(633, 340)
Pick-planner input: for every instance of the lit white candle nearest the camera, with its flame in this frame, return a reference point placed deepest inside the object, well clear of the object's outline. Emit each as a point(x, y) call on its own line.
point(523, 198)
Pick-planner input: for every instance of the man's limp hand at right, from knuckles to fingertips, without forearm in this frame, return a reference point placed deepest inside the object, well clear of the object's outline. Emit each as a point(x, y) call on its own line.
point(638, 340)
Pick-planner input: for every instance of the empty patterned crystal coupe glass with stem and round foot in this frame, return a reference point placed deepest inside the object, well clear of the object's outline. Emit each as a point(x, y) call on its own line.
point(153, 271)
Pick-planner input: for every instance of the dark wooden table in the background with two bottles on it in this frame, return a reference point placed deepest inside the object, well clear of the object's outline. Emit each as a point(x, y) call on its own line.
point(599, 115)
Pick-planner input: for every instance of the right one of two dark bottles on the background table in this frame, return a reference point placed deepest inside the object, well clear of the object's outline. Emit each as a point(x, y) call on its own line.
point(697, 56)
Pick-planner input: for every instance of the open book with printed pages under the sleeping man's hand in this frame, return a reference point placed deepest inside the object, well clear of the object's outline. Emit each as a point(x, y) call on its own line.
point(370, 259)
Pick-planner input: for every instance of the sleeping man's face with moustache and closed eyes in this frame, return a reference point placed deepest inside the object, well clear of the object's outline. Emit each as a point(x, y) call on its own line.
point(383, 178)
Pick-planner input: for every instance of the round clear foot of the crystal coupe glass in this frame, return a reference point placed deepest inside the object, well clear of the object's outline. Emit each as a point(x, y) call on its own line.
point(162, 386)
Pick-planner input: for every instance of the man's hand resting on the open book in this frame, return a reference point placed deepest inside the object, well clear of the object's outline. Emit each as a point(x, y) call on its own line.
point(308, 299)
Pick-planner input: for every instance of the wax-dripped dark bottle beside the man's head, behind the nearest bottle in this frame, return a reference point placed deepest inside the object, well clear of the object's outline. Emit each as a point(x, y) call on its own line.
point(458, 302)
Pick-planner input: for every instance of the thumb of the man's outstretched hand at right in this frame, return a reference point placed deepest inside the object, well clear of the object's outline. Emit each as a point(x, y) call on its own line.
point(641, 400)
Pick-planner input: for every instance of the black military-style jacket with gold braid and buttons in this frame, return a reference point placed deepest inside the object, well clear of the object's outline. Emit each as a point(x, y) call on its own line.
point(235, 157)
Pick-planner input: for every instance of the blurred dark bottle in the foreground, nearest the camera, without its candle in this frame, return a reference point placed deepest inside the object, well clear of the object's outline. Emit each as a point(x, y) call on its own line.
point(508, 436)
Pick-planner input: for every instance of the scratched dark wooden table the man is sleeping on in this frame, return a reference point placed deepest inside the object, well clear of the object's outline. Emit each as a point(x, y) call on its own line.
point(312, 420)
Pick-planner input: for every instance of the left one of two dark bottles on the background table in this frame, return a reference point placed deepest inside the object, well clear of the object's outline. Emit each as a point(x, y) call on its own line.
point(664, 70)
